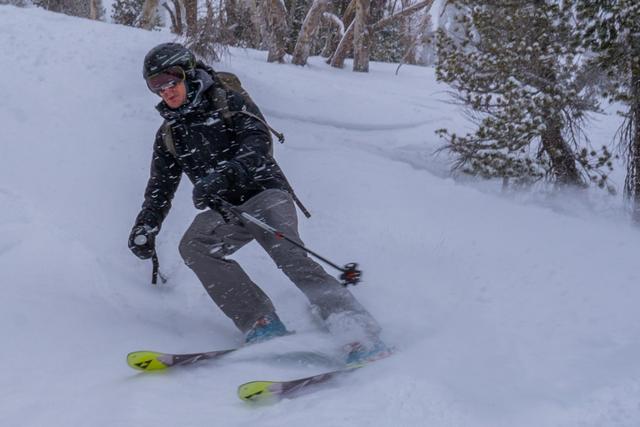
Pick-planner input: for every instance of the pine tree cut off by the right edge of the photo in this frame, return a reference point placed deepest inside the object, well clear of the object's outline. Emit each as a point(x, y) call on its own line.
point(611, 28)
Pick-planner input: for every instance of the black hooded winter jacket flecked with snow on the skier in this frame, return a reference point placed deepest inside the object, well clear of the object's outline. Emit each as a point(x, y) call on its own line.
point(204, 144)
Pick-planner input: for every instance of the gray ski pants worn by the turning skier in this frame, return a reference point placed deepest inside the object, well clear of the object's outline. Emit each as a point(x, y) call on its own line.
point(209, 240)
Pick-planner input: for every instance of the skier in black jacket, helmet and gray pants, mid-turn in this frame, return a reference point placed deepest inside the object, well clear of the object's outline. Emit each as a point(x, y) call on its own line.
point(233, 163)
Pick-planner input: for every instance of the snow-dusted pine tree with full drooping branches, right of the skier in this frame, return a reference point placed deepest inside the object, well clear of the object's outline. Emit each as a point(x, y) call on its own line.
point(515, 68)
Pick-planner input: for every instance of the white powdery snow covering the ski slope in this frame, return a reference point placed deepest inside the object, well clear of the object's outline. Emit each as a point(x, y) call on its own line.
point(505, 311)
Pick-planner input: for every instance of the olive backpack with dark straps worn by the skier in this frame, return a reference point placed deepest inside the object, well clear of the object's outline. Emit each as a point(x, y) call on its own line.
point(229, 81)
